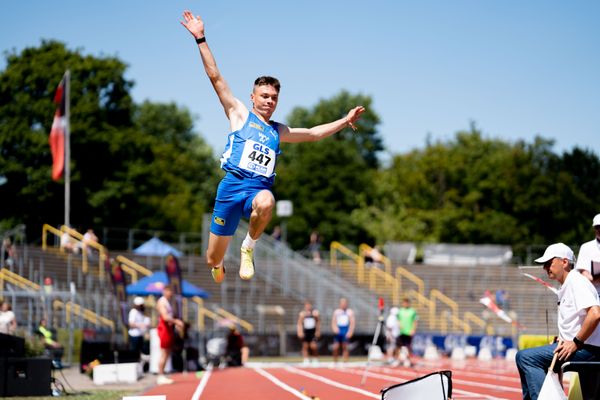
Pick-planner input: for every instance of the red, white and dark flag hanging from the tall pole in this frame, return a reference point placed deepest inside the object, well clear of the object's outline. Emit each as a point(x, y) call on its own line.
point(57, 133)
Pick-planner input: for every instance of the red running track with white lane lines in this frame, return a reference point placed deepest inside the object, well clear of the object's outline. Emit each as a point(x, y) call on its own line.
point(471, 379)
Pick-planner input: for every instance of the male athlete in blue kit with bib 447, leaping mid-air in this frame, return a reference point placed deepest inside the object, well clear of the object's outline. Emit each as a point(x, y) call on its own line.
point(249, 158)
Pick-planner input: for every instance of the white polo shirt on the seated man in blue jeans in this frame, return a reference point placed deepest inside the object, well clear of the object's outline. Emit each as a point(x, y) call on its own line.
point(575, 295)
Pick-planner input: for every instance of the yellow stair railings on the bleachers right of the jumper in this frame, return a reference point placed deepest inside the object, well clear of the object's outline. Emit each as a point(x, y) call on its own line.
point(384, 283)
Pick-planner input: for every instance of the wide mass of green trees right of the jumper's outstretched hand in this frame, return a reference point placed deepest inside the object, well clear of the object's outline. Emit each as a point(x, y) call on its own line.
point(476, 190)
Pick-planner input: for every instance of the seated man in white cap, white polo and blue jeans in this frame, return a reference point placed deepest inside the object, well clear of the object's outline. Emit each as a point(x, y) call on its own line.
point(578, 318)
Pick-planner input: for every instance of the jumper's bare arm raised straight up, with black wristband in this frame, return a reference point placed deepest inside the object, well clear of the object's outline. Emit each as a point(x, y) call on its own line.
point(235, 110)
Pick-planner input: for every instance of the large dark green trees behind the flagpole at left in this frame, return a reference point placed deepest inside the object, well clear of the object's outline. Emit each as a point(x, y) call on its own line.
point(132, 165)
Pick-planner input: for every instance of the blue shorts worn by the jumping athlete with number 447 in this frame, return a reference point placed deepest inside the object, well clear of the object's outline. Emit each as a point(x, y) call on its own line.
point(234, 199)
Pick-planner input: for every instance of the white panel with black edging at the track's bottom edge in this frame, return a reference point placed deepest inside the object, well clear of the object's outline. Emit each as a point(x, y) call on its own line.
point(434, 386)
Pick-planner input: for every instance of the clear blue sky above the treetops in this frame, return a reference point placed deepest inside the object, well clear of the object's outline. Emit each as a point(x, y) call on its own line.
point(518, 69)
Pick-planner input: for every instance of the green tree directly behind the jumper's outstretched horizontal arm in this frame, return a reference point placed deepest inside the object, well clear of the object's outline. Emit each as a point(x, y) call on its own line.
point(326, 179)
